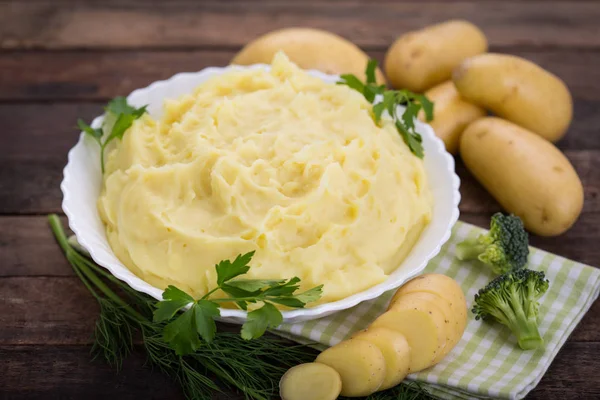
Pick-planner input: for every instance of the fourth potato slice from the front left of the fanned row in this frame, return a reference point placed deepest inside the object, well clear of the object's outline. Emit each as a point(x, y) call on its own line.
point(421, 330)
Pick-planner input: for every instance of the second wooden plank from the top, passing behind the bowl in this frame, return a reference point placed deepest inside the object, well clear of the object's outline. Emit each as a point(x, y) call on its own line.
point(100, 75)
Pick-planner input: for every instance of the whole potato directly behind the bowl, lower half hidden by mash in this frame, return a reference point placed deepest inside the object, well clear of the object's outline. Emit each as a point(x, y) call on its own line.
point(309, 49)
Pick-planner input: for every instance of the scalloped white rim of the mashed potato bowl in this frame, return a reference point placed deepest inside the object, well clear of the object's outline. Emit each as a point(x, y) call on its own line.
point(121, 272)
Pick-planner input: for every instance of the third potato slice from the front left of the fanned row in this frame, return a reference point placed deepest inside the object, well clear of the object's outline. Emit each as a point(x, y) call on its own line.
point(395, 350)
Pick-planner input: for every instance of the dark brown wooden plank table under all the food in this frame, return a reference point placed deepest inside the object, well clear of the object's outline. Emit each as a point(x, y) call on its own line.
point(63, 59)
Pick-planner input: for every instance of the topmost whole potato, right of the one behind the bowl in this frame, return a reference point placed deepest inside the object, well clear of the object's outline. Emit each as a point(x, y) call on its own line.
point(421, 59)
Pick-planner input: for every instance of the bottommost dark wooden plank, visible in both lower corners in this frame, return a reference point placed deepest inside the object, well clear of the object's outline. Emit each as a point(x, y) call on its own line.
point(43, 372)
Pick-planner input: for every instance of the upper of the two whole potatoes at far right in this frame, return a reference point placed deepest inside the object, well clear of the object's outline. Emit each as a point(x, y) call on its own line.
point(517, 90)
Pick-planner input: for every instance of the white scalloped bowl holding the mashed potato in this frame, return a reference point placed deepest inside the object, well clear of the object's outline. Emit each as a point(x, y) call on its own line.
point(82, 184)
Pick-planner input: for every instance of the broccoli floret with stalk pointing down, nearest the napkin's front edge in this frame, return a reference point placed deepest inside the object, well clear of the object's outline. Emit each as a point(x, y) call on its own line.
point(512, 299)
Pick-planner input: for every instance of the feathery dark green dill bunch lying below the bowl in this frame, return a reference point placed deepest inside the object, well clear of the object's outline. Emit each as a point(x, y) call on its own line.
point(229, 363)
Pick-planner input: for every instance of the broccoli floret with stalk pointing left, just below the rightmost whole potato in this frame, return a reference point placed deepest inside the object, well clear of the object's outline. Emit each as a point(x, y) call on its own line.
point(504, 248)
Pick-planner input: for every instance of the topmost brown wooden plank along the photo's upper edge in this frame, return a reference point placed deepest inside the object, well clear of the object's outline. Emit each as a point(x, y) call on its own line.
point(46, 24)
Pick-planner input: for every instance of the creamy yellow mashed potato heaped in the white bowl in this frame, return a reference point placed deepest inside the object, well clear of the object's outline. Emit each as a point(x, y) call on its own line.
point(277, 162)
